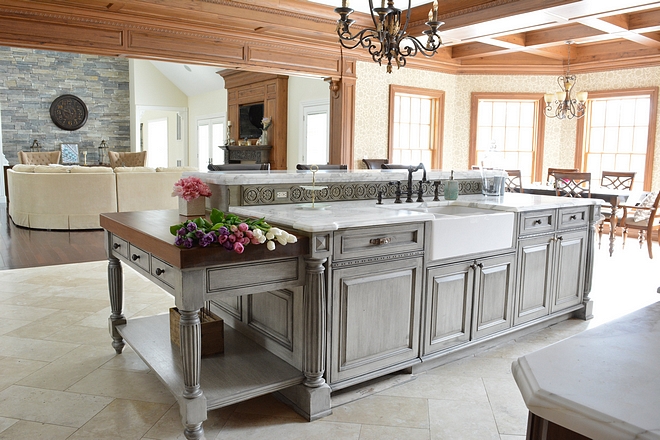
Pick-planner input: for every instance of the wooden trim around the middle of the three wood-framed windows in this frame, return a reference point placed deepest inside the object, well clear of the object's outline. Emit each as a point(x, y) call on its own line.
point(537, 154)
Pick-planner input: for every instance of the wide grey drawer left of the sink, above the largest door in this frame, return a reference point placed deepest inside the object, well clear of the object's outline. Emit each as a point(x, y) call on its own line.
point(382, 240)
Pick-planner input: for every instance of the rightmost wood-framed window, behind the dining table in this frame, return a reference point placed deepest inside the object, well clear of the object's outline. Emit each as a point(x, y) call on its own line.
point(618, 134)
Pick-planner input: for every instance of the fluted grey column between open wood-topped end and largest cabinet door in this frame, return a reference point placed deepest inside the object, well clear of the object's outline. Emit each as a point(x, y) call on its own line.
point(315, 316)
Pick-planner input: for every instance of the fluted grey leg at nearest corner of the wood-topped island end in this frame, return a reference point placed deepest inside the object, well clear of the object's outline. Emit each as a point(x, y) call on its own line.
point(193, 404)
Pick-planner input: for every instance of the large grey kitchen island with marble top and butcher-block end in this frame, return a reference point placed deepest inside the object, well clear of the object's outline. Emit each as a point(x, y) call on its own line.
point(360, 297)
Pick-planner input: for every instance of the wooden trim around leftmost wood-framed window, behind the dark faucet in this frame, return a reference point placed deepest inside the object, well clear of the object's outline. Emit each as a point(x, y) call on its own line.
point(438, 116)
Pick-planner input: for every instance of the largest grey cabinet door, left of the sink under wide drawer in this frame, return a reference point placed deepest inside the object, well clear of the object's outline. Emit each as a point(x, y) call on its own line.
point(375, 313)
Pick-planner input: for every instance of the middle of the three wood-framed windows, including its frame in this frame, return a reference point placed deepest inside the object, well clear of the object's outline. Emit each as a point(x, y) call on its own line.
point(513, 125)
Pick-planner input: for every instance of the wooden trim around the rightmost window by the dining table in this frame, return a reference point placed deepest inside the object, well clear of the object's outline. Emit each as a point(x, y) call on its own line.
point(653, 118)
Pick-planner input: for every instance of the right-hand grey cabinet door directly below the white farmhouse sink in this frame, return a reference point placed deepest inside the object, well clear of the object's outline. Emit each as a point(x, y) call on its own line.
point(493, 295)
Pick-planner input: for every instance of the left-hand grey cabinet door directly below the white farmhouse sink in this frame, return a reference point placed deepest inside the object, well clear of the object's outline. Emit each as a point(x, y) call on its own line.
point(448, 306)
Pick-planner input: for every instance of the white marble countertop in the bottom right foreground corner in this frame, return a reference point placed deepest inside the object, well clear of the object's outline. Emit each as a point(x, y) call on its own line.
point(603, 383)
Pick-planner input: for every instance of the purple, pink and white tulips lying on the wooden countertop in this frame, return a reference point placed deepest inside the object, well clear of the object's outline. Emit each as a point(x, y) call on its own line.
point(229, 231)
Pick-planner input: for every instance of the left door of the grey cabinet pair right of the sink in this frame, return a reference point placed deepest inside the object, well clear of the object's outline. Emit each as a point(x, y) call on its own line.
point(535, 260)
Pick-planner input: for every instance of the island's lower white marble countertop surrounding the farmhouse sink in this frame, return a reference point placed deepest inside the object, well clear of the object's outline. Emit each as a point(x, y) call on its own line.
point(339, 215)
